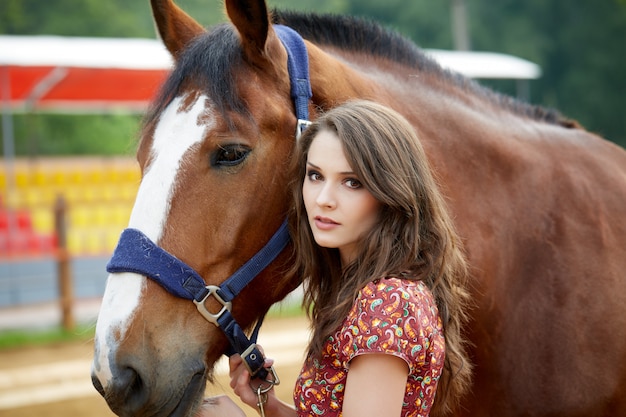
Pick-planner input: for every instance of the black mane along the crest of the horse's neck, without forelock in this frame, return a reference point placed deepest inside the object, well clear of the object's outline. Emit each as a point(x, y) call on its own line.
point(363, 35)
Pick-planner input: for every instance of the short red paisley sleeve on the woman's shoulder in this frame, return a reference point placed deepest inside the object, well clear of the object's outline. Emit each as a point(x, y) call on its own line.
point(391, 318)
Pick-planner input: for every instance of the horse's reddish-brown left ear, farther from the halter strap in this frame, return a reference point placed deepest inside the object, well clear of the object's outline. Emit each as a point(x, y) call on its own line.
point(175, 27)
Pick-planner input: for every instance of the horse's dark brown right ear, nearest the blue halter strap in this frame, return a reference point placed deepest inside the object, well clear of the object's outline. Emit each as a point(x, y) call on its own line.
point(252, 22)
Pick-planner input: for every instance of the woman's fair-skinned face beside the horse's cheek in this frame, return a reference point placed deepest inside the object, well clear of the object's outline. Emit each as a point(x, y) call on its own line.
point(340, 210)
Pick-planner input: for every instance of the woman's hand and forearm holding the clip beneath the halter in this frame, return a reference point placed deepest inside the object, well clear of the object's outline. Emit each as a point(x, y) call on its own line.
point(240, 383)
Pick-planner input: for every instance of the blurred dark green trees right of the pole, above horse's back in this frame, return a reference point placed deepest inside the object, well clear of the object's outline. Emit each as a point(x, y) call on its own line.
point(579, 46)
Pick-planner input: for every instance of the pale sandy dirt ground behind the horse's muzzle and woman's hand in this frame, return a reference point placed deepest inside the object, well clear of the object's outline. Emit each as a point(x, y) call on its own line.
point(91, 404)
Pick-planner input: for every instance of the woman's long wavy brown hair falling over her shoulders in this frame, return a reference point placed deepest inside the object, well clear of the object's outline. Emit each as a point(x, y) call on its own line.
point(414, 237)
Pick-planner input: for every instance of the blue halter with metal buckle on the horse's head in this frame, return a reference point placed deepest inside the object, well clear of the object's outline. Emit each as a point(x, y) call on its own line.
point(135, 252)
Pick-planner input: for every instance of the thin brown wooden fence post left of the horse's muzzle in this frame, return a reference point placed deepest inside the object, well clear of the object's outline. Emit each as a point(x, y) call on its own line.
point(64, 274)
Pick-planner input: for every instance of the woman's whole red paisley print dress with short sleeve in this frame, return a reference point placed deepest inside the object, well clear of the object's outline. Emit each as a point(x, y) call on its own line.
point(390, 316)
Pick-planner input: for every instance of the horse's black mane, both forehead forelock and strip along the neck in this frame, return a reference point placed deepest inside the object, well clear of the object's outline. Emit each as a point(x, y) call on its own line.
point(213, 55)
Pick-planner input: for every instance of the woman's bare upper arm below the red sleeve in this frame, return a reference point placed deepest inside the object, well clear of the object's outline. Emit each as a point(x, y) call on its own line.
point(375, 386)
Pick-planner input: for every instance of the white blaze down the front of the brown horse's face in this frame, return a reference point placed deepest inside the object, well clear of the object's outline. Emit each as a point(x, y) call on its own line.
point(176, 132)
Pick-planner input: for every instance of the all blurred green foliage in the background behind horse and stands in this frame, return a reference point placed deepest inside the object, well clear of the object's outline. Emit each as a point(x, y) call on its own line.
point(579, 46)
